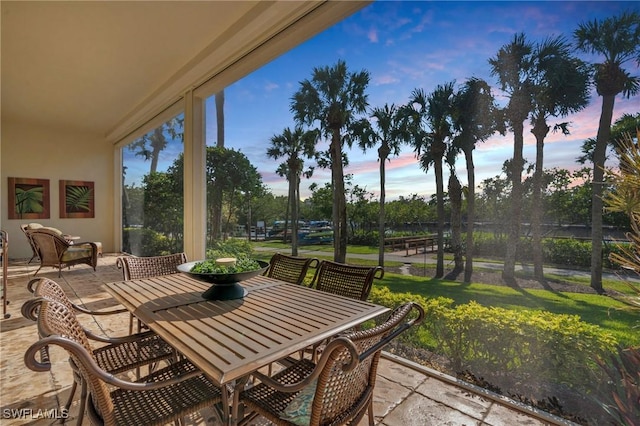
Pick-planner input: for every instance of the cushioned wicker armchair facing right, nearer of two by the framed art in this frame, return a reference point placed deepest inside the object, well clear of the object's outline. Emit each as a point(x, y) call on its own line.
point(53, 250)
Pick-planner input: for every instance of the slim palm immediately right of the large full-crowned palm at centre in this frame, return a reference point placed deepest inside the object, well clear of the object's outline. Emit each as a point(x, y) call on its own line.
point(390, 134)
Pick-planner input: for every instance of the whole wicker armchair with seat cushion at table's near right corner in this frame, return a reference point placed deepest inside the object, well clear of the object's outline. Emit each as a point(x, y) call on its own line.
point(336, 390)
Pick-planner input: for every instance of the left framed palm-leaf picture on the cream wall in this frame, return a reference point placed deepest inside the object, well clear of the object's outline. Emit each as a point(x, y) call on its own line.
point(28, 198)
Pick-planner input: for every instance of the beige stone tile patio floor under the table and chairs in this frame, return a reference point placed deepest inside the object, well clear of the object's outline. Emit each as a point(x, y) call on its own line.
point(406, 394)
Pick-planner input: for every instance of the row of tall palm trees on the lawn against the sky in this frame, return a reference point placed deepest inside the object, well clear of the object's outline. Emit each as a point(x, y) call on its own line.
point(543, 81)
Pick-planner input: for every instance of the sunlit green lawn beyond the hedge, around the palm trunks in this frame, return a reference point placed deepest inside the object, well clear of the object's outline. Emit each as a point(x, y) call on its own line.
point(606, 312)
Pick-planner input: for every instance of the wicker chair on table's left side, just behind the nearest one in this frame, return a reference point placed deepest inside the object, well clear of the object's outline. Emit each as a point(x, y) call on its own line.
point(120, 354)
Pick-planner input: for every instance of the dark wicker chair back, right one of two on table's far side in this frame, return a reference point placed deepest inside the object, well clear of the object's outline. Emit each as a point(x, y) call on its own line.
point(352, 281)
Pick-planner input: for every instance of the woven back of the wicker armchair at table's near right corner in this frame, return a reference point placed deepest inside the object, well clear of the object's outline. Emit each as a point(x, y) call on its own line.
point(349, 367)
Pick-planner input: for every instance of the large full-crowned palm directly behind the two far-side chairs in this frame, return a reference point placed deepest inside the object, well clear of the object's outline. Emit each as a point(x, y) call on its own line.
point(332, 99)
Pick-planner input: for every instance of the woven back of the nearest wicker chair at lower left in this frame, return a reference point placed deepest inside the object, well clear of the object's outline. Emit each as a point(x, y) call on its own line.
point(54, 319)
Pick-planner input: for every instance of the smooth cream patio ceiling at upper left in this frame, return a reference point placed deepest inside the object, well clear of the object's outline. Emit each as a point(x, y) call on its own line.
point(101, 67)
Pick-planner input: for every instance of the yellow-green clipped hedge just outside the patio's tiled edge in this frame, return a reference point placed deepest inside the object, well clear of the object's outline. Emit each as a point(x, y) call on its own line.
point(521, 345)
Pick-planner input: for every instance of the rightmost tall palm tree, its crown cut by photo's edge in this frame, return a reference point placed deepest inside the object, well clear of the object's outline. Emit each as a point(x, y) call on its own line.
point(617, 39)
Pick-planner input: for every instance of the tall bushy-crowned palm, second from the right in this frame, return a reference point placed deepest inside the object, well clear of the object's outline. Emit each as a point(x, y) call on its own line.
point(560, 88)
